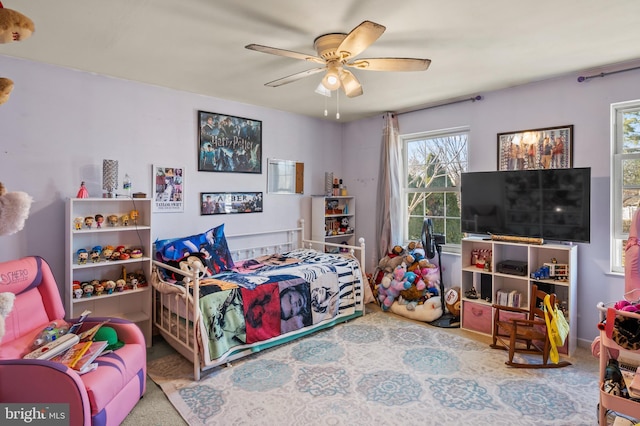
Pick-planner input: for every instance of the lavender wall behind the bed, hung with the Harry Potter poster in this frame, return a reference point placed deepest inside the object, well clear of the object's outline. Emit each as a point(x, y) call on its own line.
point(60, 124)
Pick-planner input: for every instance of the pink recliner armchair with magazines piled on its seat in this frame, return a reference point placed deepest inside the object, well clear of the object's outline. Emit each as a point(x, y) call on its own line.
point(102, 397)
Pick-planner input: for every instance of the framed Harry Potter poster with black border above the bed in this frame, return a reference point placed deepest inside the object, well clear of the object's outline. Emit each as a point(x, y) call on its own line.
point(229, 144)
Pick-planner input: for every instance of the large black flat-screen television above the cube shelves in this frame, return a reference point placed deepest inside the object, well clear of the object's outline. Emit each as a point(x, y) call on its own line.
point(553, 204)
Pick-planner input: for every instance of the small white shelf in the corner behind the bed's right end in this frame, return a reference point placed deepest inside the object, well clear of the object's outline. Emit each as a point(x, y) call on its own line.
point(327, 212)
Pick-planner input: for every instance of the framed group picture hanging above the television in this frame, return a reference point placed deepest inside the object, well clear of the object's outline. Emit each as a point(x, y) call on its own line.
point(546, 148)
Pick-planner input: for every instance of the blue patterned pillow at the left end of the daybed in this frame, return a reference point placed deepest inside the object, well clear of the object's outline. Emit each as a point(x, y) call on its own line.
point(212, 244)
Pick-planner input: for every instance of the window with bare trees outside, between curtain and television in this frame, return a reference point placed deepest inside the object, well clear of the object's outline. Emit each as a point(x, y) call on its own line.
point(433, 162)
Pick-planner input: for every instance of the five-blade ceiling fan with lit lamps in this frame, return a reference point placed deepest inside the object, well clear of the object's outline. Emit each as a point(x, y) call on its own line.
point(336, 52)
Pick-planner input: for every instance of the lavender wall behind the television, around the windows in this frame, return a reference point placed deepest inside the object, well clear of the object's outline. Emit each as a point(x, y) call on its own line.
point(548, 103)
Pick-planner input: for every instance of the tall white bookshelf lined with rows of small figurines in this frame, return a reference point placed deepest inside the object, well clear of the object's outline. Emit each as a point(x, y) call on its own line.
point(108, 252)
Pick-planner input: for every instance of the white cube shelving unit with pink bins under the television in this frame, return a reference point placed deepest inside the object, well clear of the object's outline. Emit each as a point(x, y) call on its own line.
point(477, 314)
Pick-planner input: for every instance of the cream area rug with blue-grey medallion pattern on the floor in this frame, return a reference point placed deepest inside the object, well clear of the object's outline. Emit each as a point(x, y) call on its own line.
point(382, 370)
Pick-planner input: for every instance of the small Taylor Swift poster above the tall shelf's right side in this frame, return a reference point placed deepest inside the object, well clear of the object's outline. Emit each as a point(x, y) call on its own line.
point(168, 189)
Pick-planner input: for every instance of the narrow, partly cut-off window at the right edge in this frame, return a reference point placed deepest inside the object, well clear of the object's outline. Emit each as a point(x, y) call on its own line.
point(625, 179)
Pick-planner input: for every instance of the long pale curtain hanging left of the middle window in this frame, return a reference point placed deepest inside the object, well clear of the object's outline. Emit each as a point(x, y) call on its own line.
point(389, 204)
